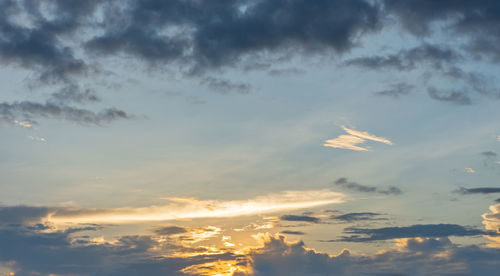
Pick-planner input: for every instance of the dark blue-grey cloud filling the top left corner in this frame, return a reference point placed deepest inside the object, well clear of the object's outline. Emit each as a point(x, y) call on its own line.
point(39, 47)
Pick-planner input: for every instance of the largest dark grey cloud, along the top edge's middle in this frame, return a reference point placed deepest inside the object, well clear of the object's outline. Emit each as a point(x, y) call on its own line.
point(220, 33)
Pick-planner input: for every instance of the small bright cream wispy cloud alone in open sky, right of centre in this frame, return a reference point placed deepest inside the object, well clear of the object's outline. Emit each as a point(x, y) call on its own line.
point(355, 137)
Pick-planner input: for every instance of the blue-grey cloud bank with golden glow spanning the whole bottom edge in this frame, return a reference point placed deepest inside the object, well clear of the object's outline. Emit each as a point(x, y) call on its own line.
point(32, 250)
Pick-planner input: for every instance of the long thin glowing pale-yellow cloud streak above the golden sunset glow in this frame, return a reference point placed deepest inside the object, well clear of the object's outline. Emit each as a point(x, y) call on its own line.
point(185, 208)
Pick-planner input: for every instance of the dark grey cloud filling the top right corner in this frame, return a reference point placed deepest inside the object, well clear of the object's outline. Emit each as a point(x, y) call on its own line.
point(475, 21)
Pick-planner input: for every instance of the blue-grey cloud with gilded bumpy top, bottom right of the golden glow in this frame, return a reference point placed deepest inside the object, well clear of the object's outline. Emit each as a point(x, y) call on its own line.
point(417, 257)
